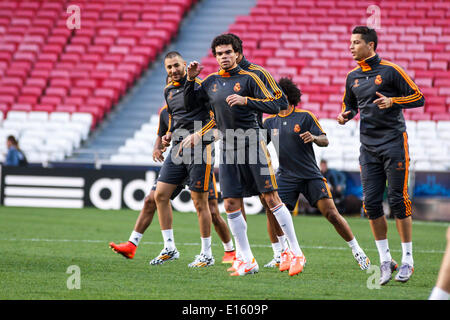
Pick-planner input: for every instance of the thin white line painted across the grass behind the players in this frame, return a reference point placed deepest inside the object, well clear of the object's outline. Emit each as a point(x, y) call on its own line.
point(198, 244)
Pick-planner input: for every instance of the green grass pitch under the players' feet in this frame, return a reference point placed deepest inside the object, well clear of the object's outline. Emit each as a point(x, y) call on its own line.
point(38, 245)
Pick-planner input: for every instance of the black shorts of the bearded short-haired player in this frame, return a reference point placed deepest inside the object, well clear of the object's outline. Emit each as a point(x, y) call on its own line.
point(197, 173)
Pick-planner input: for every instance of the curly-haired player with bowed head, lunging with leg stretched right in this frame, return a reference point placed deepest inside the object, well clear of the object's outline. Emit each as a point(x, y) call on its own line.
point(296, 130)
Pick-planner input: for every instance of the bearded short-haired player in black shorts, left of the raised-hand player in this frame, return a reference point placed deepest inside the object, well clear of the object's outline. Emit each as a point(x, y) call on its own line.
point(176, 169)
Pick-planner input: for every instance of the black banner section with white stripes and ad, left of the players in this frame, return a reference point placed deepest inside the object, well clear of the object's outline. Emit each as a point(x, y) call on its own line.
point(75, 187)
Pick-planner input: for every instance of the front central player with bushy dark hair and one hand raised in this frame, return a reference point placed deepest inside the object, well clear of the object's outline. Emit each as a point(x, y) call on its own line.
point(236, 97)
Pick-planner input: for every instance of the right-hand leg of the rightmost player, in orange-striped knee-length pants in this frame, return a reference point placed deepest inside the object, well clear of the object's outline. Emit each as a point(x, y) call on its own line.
point(397, 172)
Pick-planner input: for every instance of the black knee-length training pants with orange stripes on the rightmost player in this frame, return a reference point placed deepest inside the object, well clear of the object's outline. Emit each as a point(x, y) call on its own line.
point(386, 166)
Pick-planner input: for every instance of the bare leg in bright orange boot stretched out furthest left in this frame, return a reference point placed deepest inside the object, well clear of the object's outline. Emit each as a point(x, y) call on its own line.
point(128, 249)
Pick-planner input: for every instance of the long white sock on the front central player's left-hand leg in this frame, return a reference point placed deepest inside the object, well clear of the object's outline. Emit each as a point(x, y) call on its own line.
point(238, 228)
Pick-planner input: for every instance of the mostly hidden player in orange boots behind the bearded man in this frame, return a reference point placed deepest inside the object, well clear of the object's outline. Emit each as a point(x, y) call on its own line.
point(128, 249)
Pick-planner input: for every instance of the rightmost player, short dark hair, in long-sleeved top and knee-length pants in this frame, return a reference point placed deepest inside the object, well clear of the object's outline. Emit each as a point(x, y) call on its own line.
point(380, 89)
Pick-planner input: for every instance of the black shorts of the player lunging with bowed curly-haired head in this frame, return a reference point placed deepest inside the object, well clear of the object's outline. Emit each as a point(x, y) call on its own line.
point(289, 189)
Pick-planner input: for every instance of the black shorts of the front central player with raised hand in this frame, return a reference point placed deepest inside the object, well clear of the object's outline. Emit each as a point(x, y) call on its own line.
point(244, 175)
